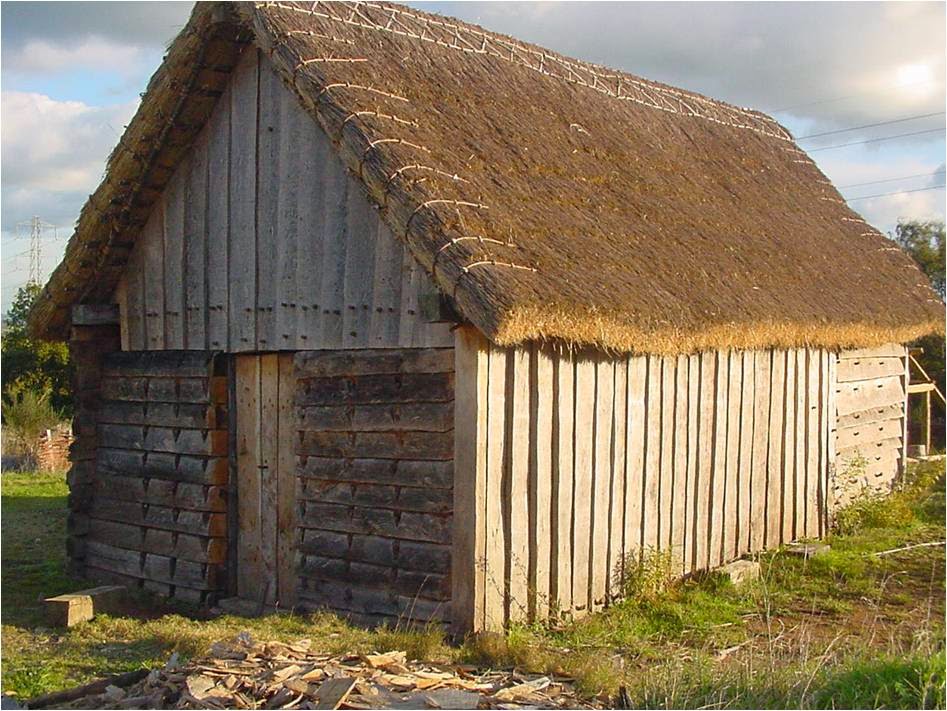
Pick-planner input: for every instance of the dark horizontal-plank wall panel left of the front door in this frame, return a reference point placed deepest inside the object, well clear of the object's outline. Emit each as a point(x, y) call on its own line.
point(157, 514)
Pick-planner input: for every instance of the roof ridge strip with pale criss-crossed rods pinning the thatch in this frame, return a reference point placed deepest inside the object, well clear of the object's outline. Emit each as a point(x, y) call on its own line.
point(645, 92)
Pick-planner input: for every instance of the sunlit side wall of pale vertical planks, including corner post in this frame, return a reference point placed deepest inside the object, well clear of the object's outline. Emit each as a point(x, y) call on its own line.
point(567, 466)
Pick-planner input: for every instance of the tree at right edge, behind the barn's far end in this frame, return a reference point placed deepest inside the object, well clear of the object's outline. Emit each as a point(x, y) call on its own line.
point(924, 241)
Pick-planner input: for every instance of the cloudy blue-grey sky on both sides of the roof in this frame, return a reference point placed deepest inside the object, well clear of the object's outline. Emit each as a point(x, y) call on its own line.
point(71, 74)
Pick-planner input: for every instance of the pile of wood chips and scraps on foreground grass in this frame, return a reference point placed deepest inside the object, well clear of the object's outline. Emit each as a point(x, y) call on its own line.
point(244, 674)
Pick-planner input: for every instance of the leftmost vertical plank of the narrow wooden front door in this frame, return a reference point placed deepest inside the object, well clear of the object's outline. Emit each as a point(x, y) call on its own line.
point(250, 580)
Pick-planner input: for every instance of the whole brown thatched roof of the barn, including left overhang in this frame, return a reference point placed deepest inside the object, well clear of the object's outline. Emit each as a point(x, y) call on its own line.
point(551, 198)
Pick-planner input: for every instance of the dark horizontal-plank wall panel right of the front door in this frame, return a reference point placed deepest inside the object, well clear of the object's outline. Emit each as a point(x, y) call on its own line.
point(375, 451)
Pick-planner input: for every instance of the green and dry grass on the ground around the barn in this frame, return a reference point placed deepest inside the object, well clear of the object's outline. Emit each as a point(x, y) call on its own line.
point(845, 629)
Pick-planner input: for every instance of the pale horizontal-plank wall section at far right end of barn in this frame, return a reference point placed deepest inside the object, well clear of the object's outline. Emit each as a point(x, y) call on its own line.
point(868, 435)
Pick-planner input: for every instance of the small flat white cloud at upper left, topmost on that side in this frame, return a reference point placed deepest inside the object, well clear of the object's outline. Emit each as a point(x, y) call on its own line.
point(97, 53)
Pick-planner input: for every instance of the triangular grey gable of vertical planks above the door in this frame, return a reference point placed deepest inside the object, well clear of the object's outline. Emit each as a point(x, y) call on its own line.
point(262, 241)
